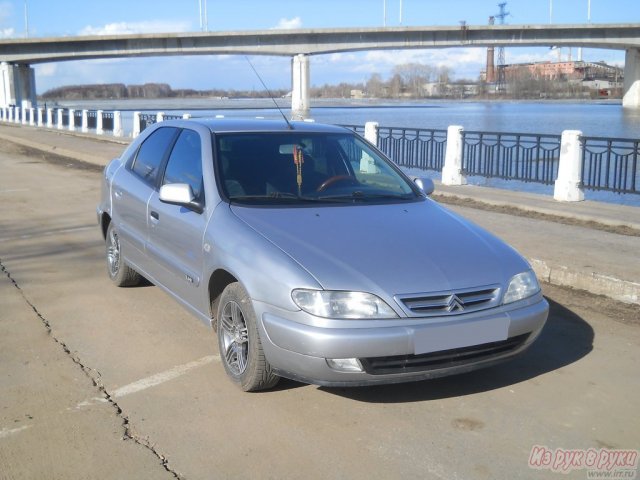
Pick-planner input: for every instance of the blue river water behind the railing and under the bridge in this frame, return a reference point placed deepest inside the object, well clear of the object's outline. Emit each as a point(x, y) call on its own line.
point(596, 118)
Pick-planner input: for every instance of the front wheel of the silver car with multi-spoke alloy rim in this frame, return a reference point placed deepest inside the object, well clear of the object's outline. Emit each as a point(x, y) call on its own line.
point(239, 341)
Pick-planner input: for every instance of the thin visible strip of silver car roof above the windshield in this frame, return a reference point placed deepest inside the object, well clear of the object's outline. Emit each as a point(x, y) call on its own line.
point(229, 125)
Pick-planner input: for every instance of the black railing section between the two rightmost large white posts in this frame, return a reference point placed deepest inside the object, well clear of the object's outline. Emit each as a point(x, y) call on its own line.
point(511, 156)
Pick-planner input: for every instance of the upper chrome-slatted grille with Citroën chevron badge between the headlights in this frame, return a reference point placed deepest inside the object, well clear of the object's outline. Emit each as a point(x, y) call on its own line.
point(450, 303)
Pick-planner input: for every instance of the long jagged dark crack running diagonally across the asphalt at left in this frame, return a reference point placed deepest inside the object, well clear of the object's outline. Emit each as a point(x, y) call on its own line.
point(94, 376)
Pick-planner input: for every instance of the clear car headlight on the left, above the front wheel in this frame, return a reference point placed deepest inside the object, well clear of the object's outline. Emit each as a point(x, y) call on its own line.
point(336, 304)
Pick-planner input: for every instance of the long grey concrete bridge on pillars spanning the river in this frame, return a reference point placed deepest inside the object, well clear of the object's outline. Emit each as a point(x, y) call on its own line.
point(17, 80)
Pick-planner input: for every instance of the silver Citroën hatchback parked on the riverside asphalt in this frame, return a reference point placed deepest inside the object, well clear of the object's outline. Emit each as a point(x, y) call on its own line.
point(313, 256)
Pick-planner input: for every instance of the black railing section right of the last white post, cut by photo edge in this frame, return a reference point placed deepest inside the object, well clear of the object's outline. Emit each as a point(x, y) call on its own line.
point(611, 164)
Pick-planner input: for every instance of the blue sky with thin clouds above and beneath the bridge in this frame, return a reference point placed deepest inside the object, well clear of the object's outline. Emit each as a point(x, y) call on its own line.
point(94, 17)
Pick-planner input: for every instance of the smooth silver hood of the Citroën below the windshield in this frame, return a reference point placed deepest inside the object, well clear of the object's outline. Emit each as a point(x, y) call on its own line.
point(387, 249)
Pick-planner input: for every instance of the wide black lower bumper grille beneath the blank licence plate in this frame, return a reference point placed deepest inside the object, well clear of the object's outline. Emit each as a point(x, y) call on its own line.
point(443, 359)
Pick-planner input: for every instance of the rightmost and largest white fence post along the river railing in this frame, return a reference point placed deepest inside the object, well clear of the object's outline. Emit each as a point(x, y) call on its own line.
point(568, 186)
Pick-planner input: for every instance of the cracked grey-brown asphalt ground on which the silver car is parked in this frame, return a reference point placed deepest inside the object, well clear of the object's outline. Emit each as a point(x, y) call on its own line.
point(101, 382)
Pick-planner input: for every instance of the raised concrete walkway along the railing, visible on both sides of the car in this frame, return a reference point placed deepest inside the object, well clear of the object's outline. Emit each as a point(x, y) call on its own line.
point(599, 253)
